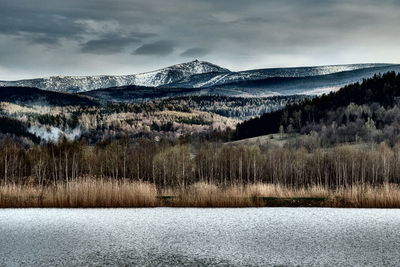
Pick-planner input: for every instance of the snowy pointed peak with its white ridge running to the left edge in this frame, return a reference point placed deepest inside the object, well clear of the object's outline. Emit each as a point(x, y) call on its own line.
point(156, 78)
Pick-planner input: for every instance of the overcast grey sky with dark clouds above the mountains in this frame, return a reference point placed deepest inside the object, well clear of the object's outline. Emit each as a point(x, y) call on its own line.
point(89, 37)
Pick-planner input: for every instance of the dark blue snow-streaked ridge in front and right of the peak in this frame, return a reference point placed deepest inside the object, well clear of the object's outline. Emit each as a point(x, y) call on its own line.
point(293, 81)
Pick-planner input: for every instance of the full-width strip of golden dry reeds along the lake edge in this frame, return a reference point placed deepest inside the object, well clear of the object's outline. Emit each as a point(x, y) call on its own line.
point(93, 193)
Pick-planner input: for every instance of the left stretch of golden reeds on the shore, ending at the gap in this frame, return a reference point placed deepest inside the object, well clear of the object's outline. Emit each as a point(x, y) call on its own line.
point(82, 193)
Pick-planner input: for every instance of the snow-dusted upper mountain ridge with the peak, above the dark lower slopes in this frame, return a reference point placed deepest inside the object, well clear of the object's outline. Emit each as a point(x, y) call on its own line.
point(193, 74)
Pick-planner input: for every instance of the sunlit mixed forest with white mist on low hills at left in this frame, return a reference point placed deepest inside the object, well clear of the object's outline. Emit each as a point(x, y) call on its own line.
point(29, 124)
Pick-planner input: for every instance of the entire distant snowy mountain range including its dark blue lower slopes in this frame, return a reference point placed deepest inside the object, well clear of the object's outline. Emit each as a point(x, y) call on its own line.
point(204, 78)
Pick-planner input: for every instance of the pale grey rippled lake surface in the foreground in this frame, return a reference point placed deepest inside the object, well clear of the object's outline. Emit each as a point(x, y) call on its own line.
point(199, 237)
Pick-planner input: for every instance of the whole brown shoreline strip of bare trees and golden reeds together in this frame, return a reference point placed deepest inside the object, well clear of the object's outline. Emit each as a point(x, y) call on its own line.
point(146, 173)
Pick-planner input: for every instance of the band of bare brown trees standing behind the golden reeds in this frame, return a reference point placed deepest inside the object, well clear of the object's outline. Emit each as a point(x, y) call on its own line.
point(174, 164)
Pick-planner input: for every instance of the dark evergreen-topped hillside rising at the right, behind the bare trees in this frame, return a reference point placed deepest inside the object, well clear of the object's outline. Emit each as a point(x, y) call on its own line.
point(366, 111)
